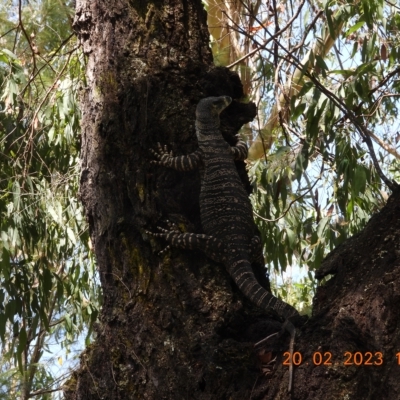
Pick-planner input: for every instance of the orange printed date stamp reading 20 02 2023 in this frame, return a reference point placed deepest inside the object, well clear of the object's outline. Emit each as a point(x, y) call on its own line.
point(326, 358)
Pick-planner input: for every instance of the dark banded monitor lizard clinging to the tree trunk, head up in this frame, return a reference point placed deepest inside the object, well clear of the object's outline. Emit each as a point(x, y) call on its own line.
point(226, 215)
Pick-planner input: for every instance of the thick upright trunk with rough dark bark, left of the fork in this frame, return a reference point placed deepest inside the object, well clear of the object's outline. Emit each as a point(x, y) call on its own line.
point(167, 323)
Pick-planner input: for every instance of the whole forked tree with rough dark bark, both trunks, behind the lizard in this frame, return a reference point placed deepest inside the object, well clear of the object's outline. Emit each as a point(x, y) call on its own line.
point(175, 326)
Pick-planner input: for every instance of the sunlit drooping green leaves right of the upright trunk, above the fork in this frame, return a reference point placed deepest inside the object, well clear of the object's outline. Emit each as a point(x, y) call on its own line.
point(334, 77)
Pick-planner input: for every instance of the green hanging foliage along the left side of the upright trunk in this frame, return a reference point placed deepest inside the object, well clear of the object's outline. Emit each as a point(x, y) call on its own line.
point(48, 289)
